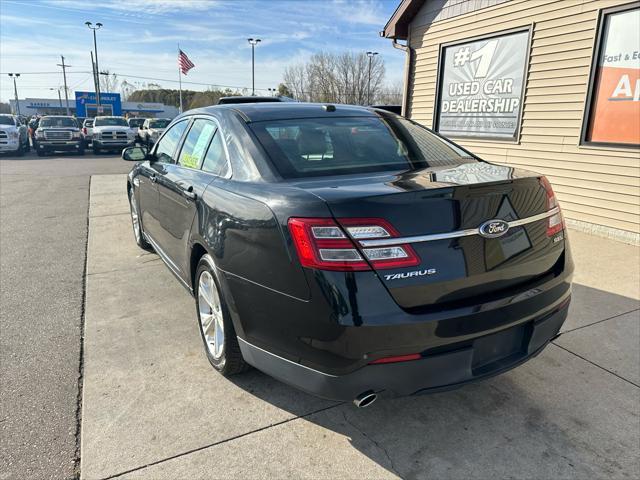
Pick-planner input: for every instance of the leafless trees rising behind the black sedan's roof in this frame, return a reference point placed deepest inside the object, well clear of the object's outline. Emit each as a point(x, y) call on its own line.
point(335, 78)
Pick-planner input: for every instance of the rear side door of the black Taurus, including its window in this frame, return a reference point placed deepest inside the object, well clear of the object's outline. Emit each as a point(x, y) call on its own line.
point(180, 188)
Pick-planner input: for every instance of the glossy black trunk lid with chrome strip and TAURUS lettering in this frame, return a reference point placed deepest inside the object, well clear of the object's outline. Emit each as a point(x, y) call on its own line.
point(439, 212)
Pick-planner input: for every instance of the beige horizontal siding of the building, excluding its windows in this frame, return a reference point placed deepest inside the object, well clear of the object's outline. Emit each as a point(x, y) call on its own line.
point(595, 185)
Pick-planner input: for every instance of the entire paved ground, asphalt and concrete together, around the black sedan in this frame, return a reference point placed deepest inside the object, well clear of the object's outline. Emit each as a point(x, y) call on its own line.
point(152, 407)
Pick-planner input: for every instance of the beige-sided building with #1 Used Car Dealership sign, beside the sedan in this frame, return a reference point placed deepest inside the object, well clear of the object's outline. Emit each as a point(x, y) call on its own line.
point(547, 85)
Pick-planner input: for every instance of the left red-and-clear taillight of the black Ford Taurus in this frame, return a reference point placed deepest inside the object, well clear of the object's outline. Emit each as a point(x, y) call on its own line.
point(321, 243)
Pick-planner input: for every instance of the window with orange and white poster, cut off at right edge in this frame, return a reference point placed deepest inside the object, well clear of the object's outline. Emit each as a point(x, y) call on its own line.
point(613, 115)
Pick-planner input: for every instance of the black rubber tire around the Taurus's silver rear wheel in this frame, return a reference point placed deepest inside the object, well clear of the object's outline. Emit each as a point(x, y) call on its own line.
point(231, 361)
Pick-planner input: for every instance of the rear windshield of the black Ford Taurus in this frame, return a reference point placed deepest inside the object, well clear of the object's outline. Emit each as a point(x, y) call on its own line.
point(306, 147)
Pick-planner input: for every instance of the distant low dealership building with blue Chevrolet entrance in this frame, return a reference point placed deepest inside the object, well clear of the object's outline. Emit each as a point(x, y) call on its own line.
point(84, 104)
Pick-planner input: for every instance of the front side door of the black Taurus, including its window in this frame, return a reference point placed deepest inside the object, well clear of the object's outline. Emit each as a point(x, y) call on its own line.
point(163, 155)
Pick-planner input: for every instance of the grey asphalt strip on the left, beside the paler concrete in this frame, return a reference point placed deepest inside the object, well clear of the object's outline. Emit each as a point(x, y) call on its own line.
point(43, 234)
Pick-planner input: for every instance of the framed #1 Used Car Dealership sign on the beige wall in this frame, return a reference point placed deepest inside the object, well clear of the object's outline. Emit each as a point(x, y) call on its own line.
point(481, 86)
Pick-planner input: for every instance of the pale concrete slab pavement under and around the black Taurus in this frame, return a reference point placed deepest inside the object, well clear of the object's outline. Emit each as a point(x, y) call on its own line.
point(153, 407)
